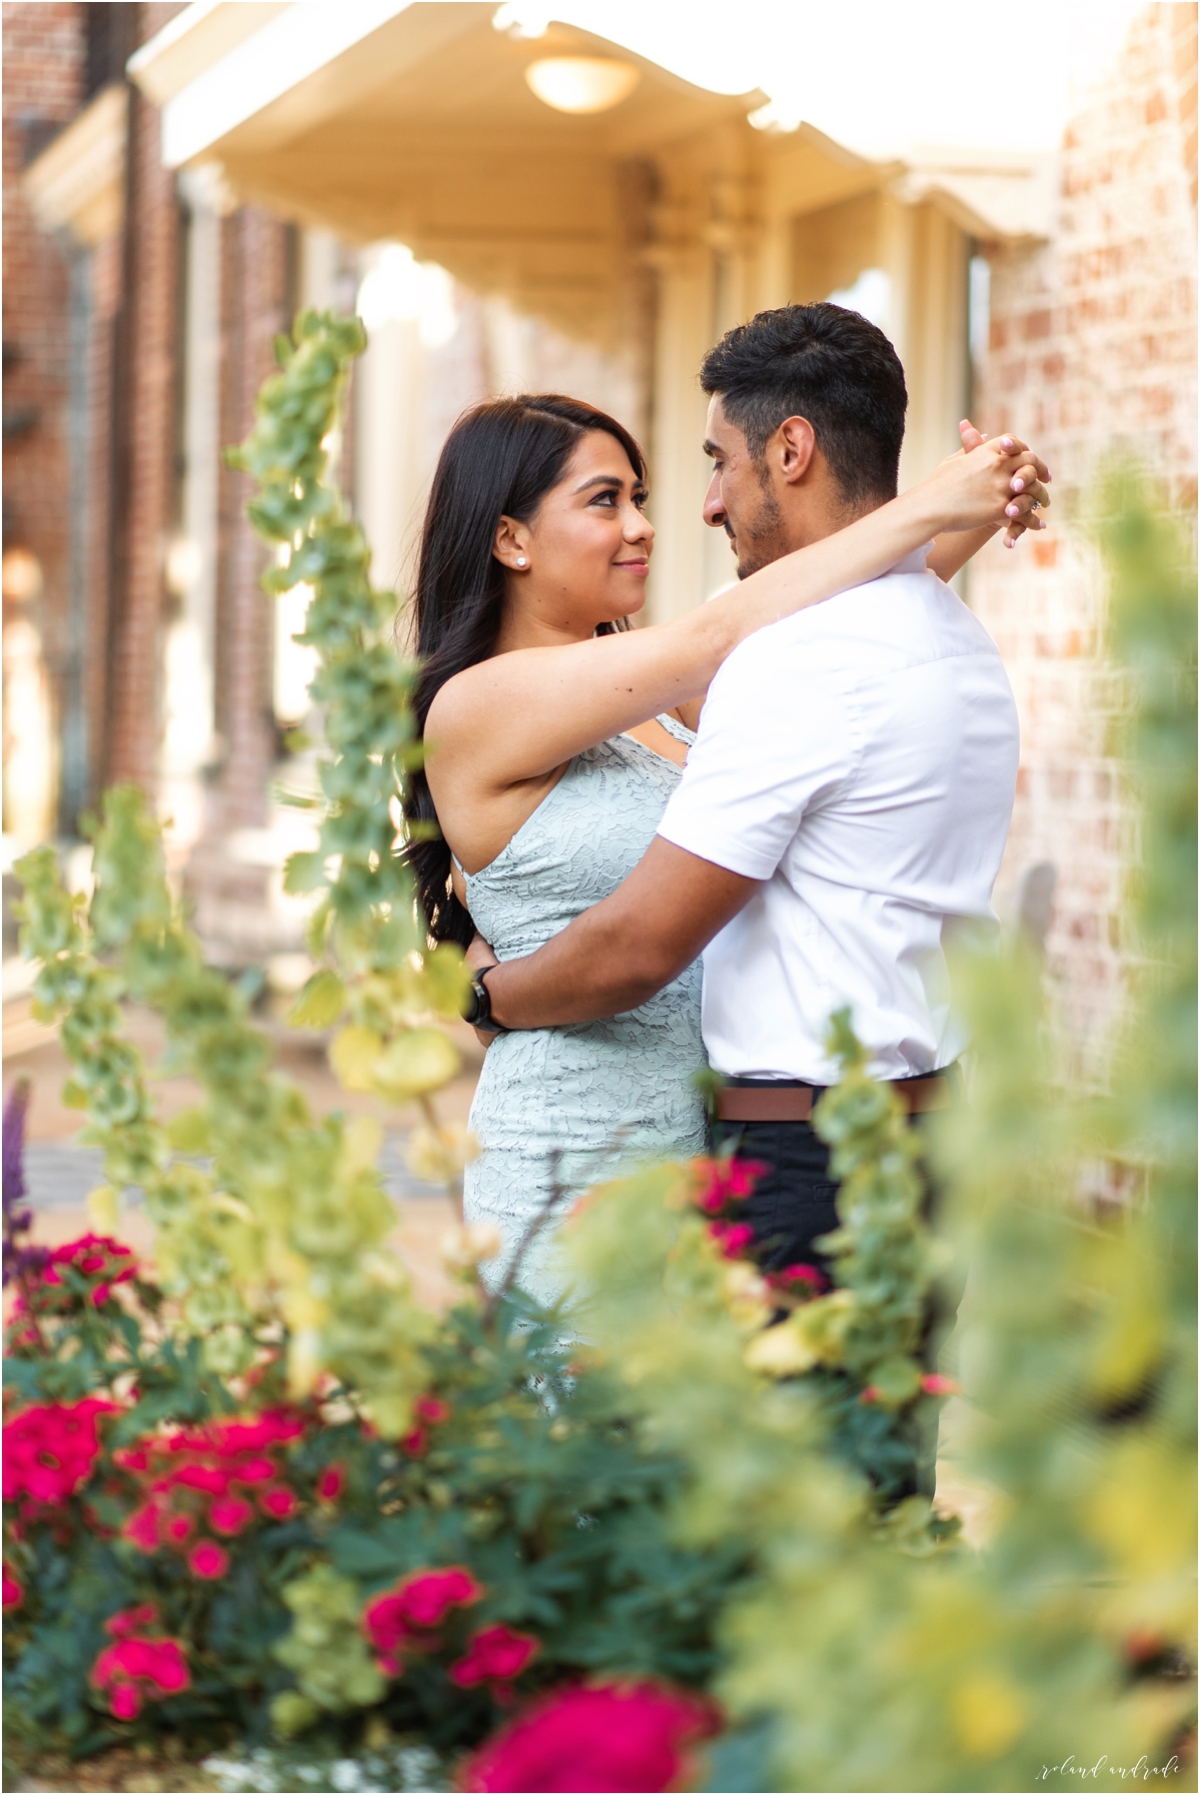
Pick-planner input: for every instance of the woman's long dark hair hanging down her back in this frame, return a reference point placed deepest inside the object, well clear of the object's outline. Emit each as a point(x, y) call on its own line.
point(500, 460)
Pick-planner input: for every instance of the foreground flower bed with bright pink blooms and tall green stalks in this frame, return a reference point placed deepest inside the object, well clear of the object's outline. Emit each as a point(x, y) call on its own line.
point(257, 1494)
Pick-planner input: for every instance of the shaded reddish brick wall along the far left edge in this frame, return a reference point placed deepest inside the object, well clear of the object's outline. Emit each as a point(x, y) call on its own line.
point(42, 85)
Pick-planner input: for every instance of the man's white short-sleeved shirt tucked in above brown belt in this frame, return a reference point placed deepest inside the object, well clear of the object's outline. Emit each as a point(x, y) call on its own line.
point(862, 762)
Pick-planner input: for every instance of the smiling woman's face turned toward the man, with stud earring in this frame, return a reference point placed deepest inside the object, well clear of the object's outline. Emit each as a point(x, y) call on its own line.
point(587, 548)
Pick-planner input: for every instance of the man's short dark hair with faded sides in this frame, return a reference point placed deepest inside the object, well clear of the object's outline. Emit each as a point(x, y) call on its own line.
point(828, 365)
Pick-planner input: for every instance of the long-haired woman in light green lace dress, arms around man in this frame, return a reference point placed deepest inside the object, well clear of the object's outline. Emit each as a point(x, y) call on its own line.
point(555, 740)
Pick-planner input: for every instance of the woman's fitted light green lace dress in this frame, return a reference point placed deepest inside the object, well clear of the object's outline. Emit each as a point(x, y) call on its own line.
point(575, 1107)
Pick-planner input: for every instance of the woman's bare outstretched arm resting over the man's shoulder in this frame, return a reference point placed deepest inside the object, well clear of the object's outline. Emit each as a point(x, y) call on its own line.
point(525, 714)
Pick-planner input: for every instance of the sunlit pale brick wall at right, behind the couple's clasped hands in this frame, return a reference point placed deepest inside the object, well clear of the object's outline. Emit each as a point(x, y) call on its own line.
point(1093, 351)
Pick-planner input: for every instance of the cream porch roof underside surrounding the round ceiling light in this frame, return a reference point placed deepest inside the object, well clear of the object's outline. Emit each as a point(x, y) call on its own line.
point(415, 123)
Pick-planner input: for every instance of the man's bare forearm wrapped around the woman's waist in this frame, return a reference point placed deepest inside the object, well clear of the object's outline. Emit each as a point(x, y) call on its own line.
point(623, 950)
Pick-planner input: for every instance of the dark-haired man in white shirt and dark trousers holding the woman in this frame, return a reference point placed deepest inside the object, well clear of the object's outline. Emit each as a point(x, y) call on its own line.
point(848, 801)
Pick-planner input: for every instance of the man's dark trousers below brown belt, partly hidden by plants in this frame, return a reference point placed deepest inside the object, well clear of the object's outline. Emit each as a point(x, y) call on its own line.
point(796, 1204)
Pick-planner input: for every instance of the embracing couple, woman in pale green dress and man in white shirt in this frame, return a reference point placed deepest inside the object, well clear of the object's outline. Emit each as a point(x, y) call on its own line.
point(804, 785)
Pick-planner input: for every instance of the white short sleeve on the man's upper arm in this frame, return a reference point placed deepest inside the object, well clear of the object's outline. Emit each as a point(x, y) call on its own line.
point(776, 740)
